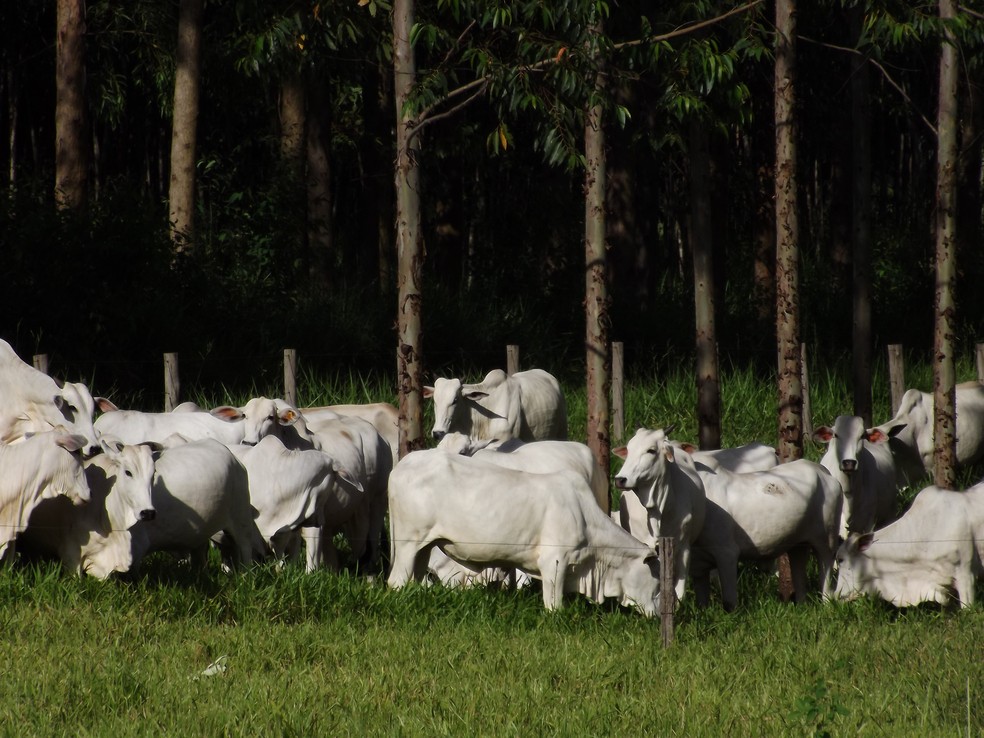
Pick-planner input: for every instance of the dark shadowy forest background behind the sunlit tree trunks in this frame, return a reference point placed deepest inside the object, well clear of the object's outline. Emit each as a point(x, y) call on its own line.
point(104, 292)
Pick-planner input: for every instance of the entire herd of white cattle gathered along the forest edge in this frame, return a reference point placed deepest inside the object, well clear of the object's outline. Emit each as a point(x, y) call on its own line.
point(502, 497)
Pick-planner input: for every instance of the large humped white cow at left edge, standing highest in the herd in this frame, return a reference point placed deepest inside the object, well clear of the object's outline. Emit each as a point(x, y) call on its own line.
point(33, 402)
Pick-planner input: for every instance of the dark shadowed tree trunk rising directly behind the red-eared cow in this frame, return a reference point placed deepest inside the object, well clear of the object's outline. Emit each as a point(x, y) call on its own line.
point(861, 230)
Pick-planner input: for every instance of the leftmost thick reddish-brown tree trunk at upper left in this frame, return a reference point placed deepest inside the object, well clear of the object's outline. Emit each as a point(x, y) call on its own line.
point(71, 141)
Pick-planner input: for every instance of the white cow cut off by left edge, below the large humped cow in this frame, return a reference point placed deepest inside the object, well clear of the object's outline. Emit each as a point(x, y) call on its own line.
point(42, 466)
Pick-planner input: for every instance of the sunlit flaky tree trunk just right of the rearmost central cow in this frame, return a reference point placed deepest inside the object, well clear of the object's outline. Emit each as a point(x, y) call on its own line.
point(597, 318)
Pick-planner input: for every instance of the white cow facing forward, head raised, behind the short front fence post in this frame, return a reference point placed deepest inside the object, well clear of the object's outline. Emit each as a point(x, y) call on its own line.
point(662, 496)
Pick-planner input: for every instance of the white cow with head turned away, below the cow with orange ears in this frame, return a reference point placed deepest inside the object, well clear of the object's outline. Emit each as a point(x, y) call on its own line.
point(294, 490)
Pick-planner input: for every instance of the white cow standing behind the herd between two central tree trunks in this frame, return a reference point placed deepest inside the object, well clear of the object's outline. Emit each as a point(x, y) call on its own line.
point(527, 405)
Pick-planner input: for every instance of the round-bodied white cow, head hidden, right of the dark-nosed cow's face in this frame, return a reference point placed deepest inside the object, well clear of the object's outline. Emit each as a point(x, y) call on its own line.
point(200, 489)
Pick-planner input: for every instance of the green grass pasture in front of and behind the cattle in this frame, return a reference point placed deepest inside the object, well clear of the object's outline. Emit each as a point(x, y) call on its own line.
point(336, 654)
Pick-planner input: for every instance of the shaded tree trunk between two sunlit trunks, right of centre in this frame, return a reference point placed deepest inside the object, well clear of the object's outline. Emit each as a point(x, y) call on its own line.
point(702, 248)
